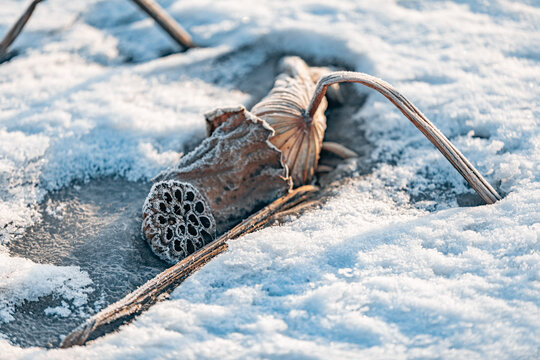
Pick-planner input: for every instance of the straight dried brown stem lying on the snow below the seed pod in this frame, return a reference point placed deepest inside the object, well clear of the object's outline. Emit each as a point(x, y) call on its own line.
point(157, 288)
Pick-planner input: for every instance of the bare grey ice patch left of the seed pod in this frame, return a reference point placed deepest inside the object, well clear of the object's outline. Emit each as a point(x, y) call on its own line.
point(95, 226)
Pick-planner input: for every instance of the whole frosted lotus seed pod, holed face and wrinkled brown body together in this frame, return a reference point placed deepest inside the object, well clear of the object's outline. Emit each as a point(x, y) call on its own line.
point(233, 172)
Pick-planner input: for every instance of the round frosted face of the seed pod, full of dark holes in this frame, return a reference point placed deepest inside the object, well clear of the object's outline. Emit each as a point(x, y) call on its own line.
point(177, 220)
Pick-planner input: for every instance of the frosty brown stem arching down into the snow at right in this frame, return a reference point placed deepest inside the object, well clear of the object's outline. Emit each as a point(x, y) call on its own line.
point(462, 165)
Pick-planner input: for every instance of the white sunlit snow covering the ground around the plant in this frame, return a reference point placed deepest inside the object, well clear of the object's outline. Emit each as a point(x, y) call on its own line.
point(392, 267)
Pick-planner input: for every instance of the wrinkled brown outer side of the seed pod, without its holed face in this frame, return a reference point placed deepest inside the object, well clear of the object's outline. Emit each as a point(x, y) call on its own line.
point(237, 168)
